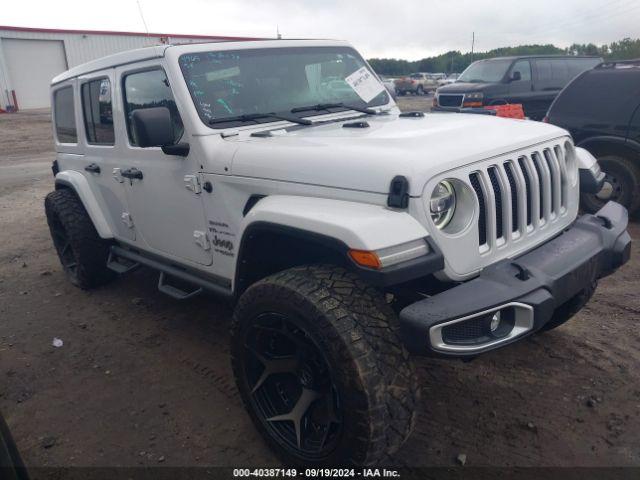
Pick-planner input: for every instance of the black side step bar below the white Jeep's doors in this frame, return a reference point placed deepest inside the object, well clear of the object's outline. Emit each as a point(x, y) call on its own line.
point(118, 253)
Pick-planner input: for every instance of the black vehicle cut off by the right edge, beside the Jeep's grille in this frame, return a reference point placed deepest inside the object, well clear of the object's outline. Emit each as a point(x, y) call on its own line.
point(601, 110)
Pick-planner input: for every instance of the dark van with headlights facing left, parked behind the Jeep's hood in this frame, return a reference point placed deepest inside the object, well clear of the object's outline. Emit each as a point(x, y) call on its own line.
point(533, 81)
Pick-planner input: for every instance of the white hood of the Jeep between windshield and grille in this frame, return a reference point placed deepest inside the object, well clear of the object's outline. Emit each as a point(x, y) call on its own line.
point(367, 159)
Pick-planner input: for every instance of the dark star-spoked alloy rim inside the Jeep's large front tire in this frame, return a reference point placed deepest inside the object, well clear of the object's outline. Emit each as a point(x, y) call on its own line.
point(291, 387)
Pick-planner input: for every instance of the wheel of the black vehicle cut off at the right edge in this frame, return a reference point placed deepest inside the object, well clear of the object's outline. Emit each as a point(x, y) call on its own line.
point(624, 175)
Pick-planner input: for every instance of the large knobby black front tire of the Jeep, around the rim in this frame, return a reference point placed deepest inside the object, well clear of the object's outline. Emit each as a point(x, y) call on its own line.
point(357, 332)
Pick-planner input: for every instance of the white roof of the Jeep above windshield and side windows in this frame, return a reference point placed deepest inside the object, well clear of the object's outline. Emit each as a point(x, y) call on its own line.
point(158, 51)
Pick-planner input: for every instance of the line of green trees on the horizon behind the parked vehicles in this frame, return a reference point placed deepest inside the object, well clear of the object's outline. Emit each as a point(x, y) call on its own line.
point(456, 61)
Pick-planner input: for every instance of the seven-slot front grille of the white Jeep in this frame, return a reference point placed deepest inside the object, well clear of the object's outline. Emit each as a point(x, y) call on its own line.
point(519, 195)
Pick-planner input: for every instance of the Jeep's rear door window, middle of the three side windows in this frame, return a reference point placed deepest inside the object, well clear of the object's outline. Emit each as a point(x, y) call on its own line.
point(96, 109)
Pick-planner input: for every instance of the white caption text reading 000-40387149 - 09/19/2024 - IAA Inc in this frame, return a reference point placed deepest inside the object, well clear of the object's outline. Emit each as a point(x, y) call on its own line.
point(315, 473)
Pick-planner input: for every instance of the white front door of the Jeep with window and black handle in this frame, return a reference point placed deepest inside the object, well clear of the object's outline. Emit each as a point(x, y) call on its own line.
point(168, 217)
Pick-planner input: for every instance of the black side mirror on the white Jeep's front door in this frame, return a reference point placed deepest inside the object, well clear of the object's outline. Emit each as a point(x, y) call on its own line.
point(152, 127)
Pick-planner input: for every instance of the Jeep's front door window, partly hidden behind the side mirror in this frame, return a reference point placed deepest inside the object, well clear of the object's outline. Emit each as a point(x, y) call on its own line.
point(149, 89)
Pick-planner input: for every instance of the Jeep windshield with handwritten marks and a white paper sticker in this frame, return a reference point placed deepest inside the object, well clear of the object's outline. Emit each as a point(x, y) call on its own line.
point(227, 84)
